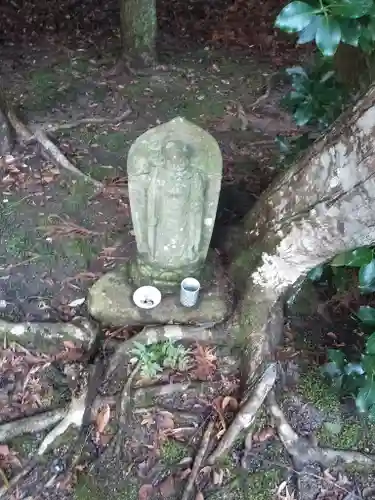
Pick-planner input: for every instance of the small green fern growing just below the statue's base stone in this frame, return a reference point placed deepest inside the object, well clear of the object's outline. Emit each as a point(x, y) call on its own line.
point(153, 358)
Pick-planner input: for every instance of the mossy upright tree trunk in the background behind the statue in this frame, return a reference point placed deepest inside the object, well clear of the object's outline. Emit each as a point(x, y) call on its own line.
point(138, 30)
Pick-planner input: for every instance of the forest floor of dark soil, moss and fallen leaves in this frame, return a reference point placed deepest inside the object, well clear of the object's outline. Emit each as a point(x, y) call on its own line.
point(59, 234)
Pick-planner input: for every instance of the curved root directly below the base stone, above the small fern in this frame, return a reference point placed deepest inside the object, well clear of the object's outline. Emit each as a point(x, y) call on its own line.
point(155, 334)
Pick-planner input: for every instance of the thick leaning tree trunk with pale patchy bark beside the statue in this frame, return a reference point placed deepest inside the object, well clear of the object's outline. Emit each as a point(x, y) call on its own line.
point(322, 206)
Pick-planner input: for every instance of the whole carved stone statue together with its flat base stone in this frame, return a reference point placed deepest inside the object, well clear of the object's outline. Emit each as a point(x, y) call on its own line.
point(174, 177)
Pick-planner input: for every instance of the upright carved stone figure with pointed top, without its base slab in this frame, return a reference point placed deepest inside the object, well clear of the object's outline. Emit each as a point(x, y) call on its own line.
point(174, 173)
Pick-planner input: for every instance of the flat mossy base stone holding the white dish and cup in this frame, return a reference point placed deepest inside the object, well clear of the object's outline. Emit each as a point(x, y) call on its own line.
point(110, 301)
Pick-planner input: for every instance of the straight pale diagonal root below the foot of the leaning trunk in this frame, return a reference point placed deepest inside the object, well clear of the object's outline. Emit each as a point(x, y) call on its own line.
point(246, 415)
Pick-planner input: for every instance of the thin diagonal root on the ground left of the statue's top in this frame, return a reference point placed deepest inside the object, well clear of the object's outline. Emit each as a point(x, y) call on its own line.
point(50, 149)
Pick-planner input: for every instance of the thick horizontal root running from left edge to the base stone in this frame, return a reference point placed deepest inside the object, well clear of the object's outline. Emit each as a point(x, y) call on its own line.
point(82, 331)
